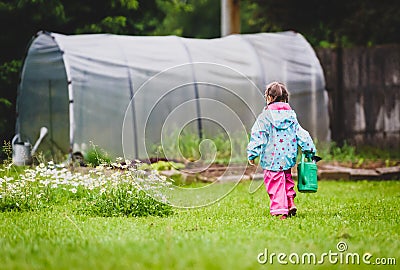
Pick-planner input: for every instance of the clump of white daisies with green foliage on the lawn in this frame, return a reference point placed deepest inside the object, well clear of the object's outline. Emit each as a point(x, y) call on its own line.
point(101, 191)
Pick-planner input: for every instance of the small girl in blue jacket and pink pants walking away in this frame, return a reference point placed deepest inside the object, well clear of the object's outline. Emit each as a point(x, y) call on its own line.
point(275, 137)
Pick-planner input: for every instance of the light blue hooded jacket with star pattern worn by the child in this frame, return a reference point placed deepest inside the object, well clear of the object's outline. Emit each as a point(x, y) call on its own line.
point(275, 137)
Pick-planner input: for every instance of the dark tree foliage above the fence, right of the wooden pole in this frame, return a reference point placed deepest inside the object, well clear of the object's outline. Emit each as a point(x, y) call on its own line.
point(339, 22)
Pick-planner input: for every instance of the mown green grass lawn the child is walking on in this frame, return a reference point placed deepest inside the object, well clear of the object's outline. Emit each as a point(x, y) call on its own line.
point(226, 235)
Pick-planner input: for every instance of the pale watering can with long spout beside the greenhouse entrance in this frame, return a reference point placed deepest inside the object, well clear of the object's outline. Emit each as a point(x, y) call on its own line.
point(23, 151)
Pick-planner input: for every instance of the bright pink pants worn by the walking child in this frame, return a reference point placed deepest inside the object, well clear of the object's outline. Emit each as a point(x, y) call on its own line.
point(280, 187)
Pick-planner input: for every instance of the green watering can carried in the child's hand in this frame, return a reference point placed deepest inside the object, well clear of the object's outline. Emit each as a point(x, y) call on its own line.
point(307, 174)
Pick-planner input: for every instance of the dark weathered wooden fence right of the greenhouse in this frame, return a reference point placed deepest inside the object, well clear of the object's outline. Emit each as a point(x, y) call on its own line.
point(363, 85)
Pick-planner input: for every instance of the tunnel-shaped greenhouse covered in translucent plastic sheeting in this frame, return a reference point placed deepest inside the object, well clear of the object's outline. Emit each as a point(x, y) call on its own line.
point(126, 94)
